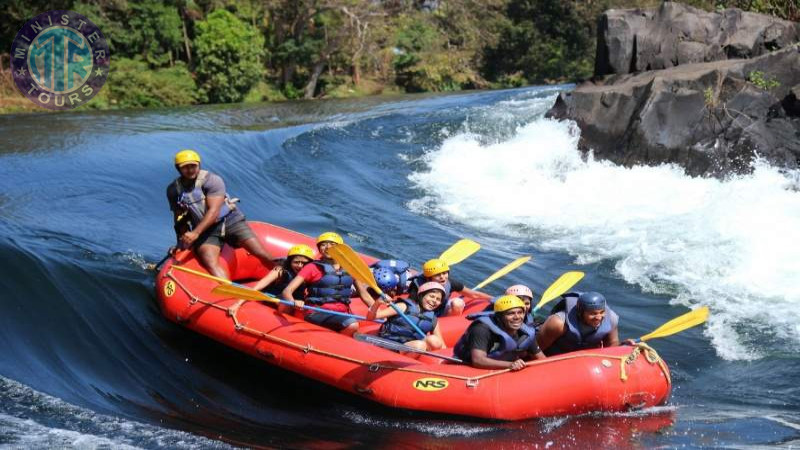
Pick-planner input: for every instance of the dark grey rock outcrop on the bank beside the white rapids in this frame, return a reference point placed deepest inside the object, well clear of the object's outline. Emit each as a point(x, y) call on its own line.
point(712, 118)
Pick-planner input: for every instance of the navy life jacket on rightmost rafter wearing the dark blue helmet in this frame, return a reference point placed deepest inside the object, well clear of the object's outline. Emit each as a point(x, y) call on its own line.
point(577, 335)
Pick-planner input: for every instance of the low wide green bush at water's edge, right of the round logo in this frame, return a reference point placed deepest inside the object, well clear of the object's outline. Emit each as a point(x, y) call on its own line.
point(132, 85)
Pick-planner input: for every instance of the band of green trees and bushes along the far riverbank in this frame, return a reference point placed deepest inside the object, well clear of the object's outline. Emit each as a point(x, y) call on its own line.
point(180, 52)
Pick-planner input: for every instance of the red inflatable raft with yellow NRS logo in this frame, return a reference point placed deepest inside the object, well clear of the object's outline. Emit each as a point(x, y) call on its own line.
point(610, 379)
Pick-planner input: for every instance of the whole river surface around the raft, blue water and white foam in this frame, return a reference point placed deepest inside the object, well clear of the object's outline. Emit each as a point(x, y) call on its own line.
point(87, 360)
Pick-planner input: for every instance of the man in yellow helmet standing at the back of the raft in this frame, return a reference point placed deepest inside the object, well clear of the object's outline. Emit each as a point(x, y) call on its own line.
point(206, 217)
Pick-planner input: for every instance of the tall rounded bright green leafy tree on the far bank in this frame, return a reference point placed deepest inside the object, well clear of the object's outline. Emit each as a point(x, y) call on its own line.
point(228, 53)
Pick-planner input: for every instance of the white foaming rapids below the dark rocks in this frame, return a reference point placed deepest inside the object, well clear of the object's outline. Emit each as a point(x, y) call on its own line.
point(728, 244)
